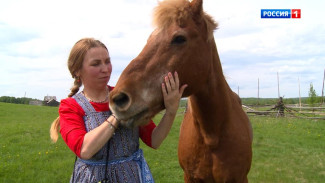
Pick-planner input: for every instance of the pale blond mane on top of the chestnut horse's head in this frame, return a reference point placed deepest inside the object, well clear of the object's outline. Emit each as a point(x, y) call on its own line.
point(168, 11)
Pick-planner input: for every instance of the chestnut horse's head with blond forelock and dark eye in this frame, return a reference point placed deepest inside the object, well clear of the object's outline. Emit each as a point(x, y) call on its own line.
point(181, 42)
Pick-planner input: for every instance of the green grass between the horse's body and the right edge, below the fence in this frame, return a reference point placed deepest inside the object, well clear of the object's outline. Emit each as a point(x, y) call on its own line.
point(288, 150)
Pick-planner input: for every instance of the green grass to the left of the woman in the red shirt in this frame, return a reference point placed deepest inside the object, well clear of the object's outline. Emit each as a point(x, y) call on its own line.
point(26, 153)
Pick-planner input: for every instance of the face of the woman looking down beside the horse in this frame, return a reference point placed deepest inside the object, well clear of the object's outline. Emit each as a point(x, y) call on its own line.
point(96, 68)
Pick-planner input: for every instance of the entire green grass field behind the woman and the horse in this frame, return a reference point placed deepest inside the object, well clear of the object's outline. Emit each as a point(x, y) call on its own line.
point(284, 150)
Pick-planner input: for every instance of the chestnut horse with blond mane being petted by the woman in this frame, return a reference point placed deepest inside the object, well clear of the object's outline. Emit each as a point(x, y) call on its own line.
point(215, 143)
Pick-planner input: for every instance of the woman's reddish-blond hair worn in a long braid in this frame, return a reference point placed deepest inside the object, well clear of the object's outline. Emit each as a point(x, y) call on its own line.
point(75, 61)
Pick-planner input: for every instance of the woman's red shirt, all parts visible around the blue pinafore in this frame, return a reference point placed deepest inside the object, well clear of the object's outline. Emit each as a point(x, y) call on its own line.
point(72, 127)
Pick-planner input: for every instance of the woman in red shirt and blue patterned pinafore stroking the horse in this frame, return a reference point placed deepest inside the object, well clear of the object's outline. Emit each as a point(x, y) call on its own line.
point(106, 151)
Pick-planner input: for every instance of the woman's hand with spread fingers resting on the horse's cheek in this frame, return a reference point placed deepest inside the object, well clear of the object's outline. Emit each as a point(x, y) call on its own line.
point(172, 93)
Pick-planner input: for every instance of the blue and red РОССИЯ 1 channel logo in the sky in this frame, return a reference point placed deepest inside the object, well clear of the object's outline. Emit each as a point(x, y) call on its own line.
point(280, 13)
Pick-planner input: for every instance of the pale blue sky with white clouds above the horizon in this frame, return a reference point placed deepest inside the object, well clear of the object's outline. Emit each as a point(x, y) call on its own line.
point(36, 37)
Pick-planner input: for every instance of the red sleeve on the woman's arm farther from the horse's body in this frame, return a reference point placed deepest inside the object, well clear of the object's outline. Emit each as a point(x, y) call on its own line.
point(72, 127)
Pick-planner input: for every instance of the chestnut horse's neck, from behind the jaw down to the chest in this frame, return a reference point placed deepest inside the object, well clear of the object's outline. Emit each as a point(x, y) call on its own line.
point(211, 106)
